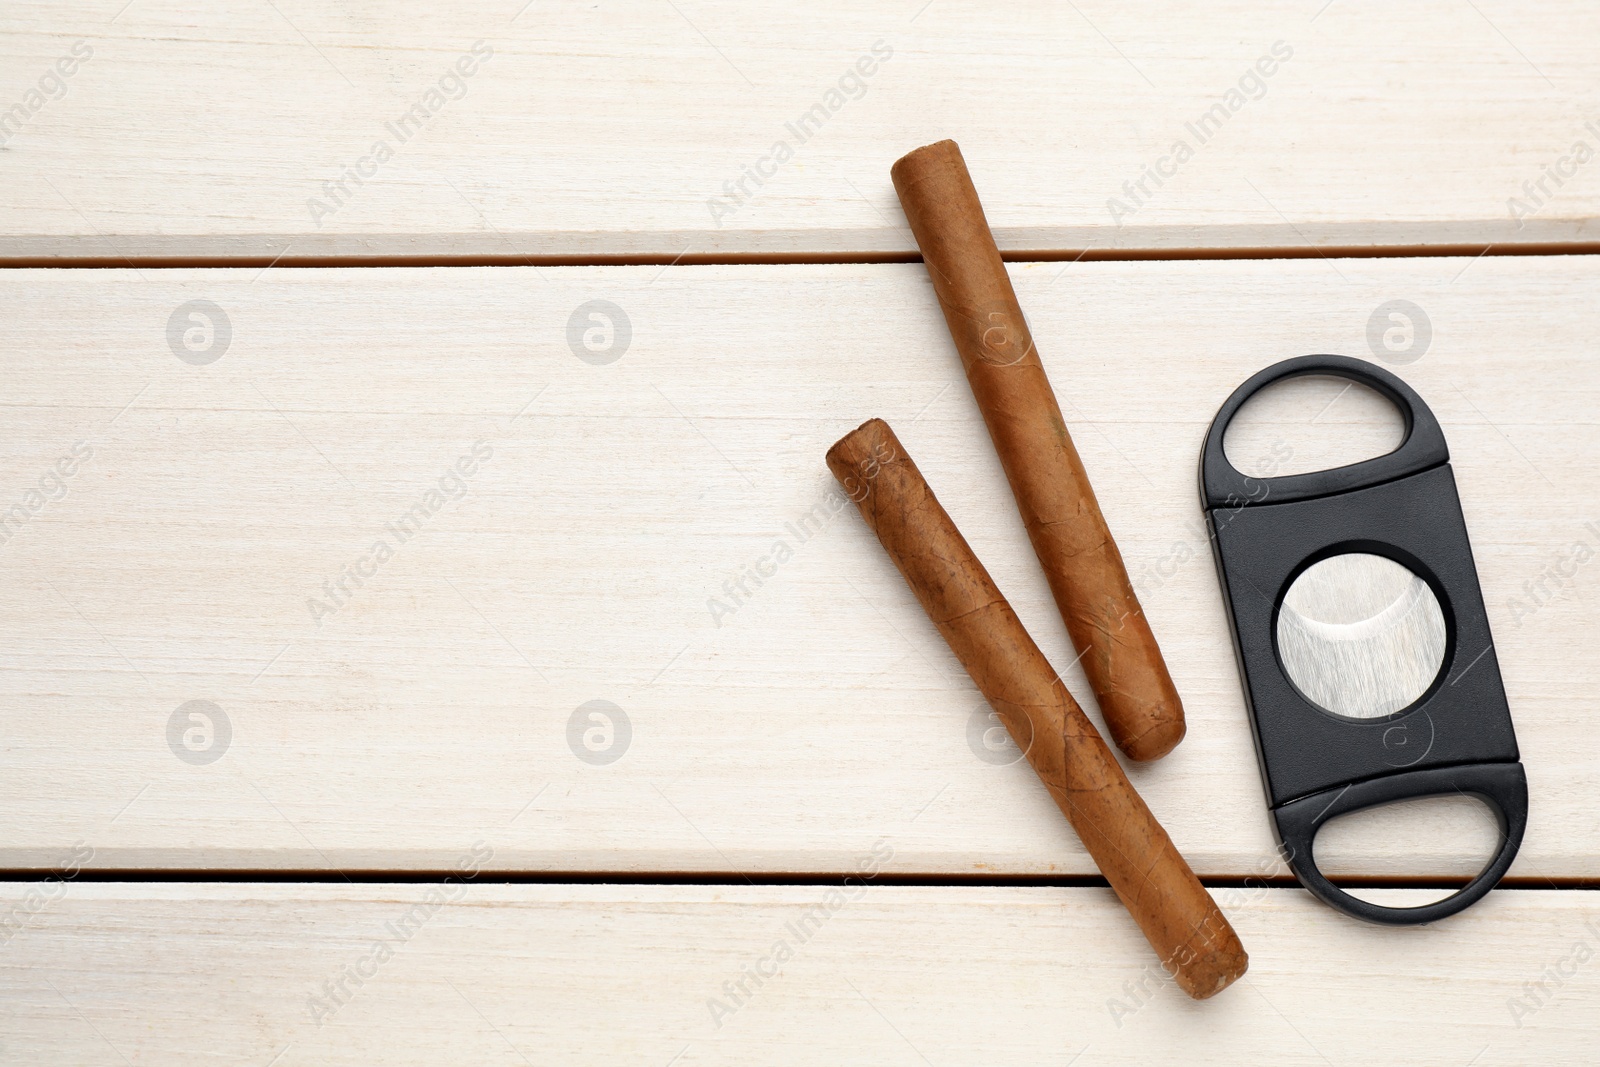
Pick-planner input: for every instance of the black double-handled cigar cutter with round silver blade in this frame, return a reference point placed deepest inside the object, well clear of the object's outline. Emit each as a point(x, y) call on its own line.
point(1335, 735)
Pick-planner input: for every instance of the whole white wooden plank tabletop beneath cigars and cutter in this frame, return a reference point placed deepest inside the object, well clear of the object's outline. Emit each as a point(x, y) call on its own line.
point(274, 796)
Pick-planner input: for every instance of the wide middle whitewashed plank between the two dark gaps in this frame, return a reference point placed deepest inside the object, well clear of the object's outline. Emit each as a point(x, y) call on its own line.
point(444, 700)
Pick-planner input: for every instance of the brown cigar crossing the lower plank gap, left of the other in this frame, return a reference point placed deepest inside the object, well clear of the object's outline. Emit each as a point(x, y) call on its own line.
point(1182, 921)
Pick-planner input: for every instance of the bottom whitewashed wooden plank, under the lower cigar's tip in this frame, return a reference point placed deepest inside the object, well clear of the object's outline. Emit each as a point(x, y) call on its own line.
point(506, 975)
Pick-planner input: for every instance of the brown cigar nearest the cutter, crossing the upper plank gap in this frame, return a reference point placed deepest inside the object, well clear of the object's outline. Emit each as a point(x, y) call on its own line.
point(1071, 538)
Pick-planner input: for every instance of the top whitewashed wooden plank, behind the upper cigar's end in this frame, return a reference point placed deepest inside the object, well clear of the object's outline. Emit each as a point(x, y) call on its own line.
point(225, 130)
